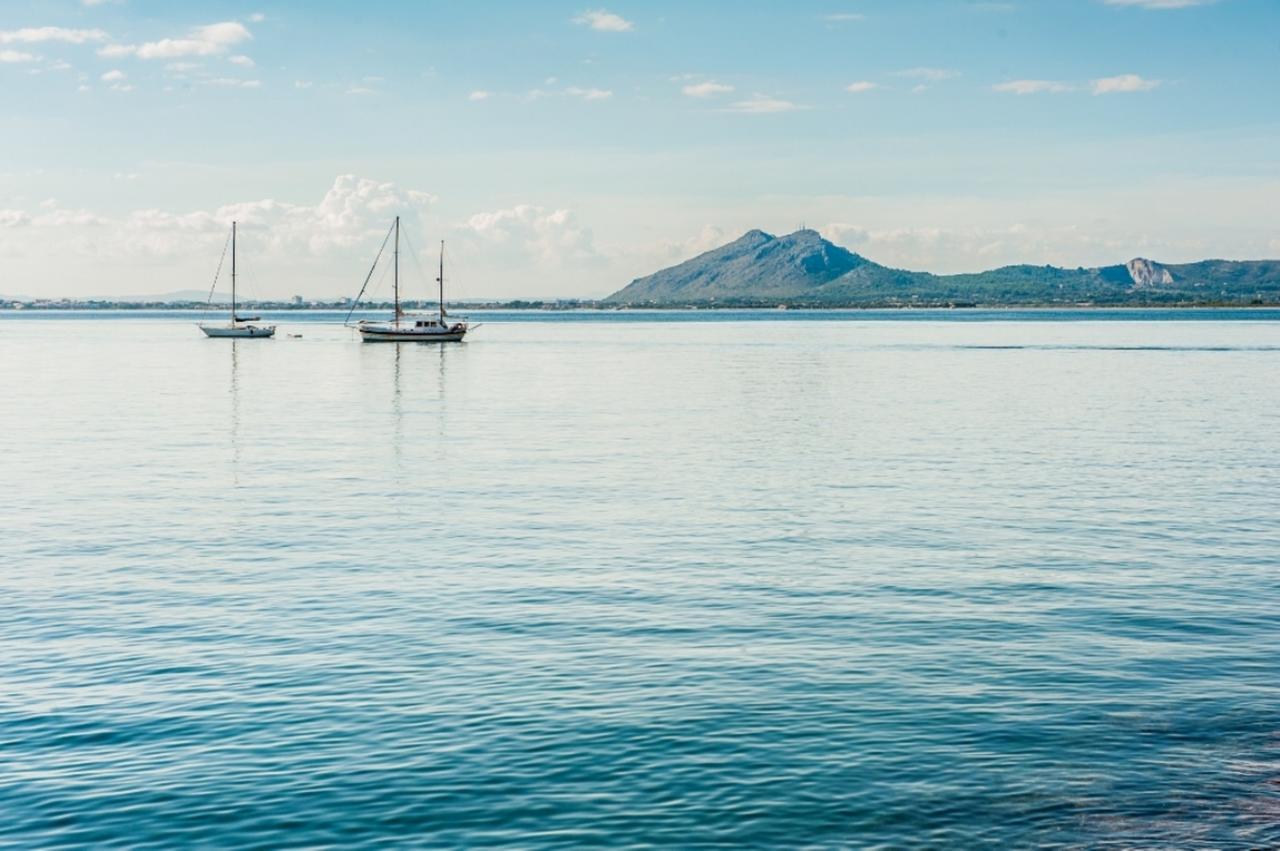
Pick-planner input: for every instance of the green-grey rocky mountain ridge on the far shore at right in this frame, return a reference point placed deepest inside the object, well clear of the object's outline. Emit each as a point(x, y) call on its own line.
point(802, 268)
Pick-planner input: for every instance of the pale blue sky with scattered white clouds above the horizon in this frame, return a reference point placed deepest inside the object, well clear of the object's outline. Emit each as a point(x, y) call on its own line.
point(564, 149)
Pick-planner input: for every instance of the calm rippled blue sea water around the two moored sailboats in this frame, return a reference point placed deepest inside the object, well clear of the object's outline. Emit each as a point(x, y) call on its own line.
point(819, 582)
